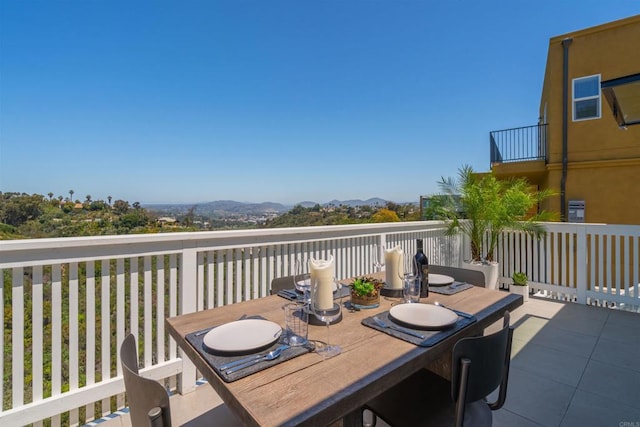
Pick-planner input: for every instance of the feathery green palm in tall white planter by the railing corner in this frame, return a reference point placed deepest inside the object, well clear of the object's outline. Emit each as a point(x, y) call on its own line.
point(482, 207)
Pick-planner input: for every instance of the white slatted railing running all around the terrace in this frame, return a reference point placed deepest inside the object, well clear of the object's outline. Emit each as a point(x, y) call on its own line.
point(67, 303)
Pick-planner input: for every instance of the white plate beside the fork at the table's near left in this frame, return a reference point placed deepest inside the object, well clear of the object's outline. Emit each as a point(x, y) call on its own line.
point(242, 335)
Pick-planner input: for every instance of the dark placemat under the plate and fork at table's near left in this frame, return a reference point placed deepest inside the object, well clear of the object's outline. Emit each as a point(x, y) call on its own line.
point(217, 360)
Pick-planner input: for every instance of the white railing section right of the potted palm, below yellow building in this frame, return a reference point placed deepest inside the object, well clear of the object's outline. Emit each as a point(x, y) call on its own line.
point(587, 263)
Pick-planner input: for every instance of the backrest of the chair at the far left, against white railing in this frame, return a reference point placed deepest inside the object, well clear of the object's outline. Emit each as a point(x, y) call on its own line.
point(148, 400)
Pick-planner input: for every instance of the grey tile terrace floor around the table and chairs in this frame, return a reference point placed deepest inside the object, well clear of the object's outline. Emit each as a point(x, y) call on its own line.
point(572, 365)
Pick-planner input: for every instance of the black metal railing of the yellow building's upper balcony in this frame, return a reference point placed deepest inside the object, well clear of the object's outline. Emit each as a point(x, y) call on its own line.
point(518, 144)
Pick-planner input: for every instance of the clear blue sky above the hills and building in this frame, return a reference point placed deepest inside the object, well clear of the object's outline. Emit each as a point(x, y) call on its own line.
point(285, 101)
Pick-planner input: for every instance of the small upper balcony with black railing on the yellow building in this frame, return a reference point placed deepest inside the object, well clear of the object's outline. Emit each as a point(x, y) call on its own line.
point(519, 151)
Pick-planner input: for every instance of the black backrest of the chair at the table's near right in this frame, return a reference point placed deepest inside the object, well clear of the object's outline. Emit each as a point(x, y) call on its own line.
point(487, 364)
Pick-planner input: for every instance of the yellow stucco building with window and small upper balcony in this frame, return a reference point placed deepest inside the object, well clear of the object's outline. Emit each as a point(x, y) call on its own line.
point(586, 145)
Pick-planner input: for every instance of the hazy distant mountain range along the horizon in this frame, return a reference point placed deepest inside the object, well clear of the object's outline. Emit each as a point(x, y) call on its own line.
point(221, 208)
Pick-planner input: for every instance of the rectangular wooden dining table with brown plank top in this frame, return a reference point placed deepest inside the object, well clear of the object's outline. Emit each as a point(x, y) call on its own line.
point(310, 390)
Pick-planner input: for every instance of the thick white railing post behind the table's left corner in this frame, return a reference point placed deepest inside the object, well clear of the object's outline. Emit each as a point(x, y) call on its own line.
point(187, 289)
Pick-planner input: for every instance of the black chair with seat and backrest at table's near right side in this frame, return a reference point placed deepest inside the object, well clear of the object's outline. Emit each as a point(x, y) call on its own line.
point(479, 366)
